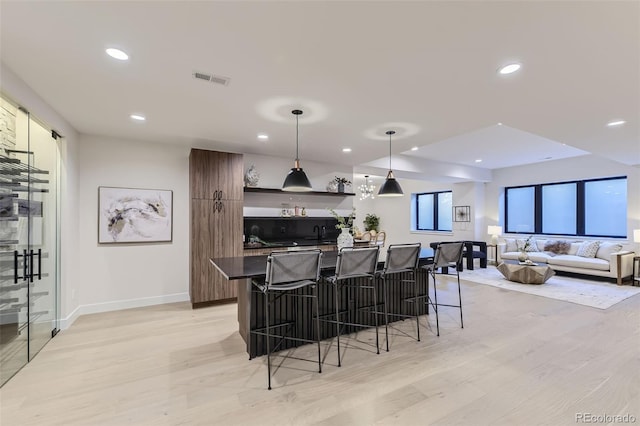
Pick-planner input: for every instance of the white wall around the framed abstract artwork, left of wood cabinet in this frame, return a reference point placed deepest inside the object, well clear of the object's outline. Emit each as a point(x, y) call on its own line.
point(117, 276)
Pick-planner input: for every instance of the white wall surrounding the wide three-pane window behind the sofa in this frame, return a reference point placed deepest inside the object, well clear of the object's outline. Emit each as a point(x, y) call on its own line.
point(584, 167)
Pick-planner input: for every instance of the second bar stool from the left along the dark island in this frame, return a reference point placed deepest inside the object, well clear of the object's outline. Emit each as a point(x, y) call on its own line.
point(354, 263)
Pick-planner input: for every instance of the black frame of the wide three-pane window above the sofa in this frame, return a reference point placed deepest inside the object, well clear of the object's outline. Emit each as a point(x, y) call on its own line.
point(580, 207)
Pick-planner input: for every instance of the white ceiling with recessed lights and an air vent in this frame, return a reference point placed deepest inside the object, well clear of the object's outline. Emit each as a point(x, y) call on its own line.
point(357, 69)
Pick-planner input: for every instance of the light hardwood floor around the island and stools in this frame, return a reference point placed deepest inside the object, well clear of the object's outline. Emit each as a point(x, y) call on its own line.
point(520, 360)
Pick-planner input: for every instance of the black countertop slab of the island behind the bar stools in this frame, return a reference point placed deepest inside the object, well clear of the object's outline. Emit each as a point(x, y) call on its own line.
point(234, 268)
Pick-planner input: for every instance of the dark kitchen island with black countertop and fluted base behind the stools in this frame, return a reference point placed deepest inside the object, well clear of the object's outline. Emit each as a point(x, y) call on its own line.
point(295, 314)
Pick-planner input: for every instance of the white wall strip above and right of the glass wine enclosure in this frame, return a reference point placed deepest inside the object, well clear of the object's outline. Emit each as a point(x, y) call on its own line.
point(19, 92)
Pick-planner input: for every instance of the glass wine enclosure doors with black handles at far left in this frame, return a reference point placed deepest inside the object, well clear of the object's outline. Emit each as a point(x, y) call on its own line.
point(28, 238)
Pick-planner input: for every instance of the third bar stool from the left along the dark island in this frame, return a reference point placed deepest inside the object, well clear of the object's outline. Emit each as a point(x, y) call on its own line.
point(401, 258)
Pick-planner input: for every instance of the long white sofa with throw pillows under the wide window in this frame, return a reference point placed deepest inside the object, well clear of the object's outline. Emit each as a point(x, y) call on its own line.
point(610, 260)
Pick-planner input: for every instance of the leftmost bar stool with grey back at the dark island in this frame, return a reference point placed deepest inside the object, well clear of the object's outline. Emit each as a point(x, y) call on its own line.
point(286, 274)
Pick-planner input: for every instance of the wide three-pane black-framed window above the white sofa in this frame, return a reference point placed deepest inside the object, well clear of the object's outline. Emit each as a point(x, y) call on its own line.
point(595, 208)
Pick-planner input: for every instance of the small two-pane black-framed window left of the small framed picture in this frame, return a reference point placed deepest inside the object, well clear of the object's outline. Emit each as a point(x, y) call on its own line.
point(434, 211)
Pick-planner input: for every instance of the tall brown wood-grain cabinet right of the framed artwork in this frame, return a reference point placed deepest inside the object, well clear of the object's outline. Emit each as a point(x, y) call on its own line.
point(216, 189)
